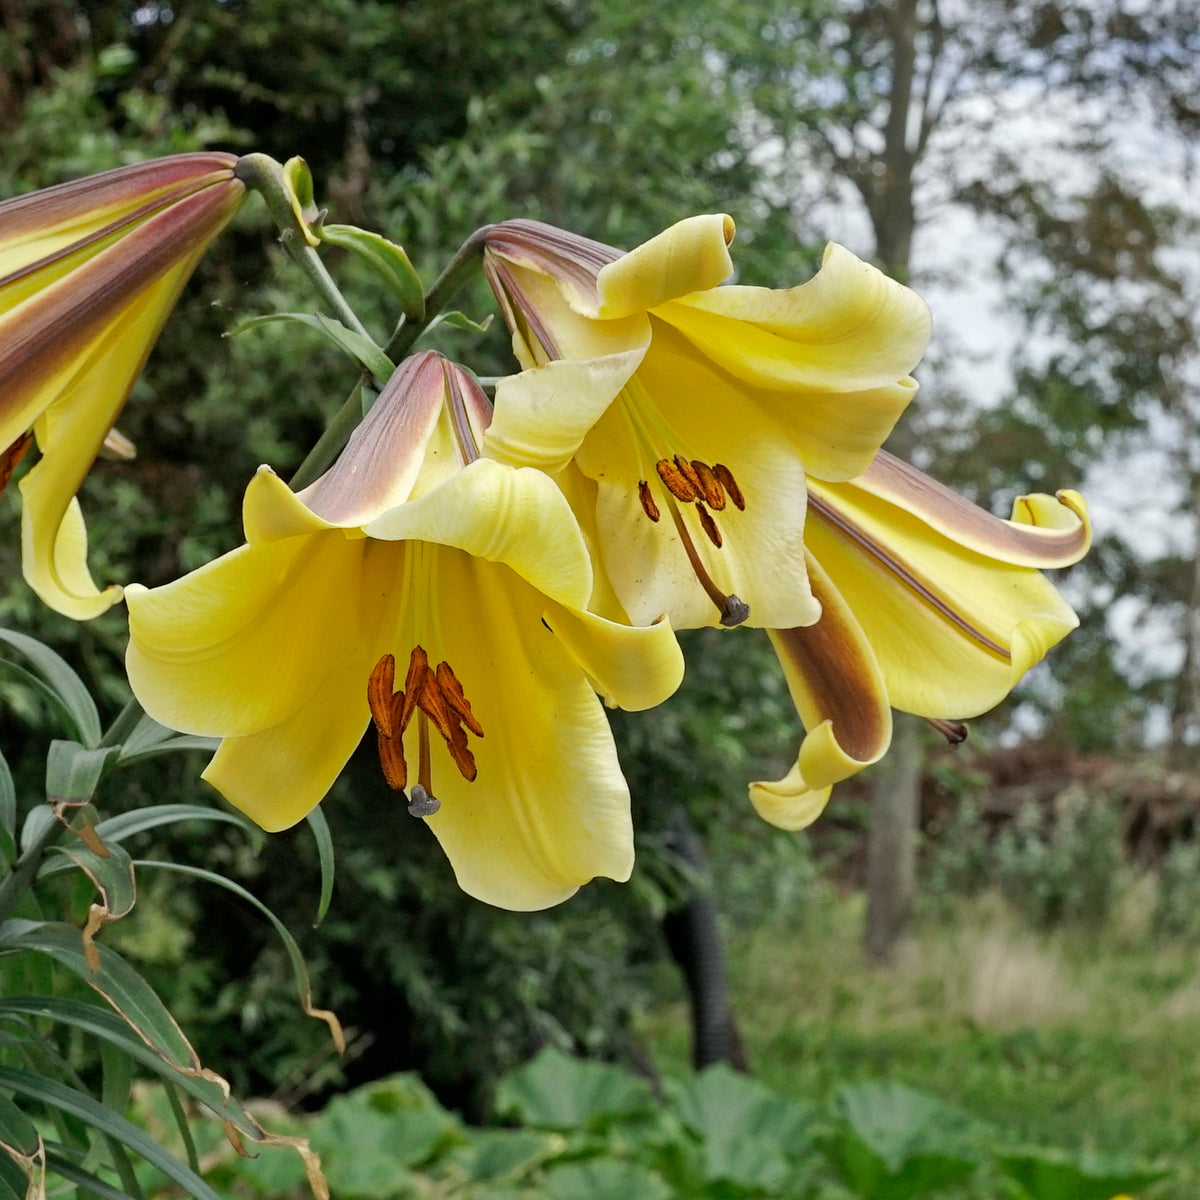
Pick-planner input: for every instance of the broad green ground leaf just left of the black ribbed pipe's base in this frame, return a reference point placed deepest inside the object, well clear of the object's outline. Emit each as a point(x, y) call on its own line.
point(555, 1091)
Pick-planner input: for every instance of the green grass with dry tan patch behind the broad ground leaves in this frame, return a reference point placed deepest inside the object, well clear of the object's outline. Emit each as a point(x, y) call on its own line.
point(1070, 1039)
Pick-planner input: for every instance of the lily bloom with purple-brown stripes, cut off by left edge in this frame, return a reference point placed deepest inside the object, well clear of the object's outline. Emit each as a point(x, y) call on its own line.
point(89, 273)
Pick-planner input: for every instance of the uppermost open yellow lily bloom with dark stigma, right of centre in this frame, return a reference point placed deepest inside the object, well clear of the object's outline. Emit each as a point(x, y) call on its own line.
point(687, 466)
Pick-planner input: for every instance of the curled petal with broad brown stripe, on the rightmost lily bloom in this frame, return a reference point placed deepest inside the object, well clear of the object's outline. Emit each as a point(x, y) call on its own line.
point(842, 698)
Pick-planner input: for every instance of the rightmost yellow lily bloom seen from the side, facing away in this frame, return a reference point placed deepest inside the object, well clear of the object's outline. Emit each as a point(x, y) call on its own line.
point(931, 605)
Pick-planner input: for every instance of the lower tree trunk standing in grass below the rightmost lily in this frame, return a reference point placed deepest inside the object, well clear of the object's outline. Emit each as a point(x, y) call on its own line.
point(892, 843)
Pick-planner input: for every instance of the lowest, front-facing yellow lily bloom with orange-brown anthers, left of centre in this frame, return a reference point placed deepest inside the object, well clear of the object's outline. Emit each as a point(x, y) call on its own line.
point(442, 596)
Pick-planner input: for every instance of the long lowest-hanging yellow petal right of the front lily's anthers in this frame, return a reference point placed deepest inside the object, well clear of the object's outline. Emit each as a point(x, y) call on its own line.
point(550, 809)
